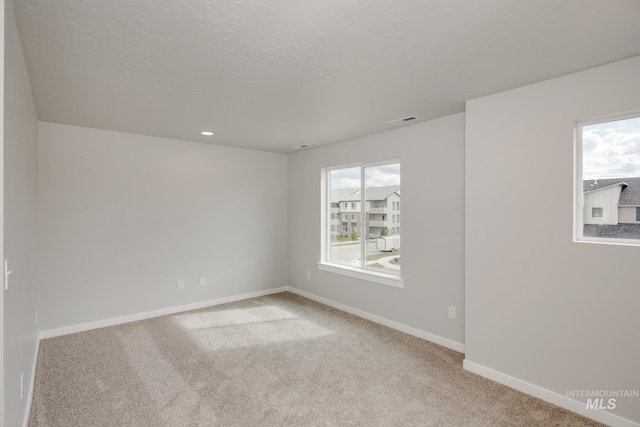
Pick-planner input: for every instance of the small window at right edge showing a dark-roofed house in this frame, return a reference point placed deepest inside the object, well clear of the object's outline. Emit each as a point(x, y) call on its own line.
point(608, 180)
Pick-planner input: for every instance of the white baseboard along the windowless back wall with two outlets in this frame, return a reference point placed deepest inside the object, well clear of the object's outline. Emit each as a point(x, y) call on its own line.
point(50, 333)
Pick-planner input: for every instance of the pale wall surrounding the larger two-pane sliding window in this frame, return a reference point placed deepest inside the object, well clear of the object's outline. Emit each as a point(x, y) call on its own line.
point(432, 173)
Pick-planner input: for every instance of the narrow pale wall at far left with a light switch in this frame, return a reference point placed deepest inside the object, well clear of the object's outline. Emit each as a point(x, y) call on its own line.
point(20, 212)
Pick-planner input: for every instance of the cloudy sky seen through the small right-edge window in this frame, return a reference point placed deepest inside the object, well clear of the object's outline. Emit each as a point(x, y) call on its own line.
point(611, 150)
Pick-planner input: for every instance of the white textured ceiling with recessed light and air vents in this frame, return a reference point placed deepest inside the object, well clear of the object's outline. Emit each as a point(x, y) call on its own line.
point(273, 74)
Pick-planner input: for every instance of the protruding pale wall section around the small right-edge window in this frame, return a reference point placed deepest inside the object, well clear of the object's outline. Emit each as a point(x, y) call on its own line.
point(556, 314)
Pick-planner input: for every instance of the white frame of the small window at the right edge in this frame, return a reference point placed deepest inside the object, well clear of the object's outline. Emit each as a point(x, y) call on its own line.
point(578, 193)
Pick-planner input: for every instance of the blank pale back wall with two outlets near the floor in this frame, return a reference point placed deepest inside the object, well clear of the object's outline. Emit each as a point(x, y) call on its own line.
point(123, 217)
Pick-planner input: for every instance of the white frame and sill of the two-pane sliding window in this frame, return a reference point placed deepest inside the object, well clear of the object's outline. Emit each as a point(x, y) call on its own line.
point(393, 280)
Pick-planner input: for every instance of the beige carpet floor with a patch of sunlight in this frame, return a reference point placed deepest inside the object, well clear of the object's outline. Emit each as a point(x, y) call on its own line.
point(280, 360)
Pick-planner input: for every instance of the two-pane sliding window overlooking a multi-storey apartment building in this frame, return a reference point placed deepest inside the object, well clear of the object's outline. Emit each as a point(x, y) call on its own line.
point(369, 244)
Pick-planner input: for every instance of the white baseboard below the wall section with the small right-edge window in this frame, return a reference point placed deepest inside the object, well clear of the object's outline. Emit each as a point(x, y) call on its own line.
point(549, 396)
